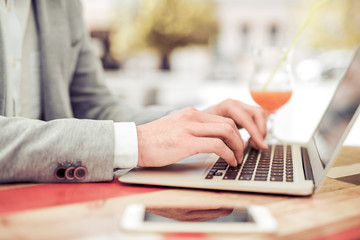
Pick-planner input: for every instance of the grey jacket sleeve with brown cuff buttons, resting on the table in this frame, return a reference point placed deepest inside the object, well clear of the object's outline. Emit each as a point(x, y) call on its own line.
point(31, 150)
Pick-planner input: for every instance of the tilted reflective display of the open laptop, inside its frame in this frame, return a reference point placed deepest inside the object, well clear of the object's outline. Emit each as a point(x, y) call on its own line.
point(339, 113)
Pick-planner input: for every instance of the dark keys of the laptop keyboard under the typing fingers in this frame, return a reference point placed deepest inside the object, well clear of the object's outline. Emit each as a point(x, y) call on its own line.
point(274, 164)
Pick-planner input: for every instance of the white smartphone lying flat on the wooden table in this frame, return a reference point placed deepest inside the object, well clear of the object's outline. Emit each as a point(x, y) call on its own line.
point(251, 219)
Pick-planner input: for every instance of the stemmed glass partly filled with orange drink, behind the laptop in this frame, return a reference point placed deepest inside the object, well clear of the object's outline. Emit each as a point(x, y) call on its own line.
point(271, 84)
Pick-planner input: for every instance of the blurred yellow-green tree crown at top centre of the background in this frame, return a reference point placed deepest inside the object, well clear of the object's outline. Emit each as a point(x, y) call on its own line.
point(164, 25)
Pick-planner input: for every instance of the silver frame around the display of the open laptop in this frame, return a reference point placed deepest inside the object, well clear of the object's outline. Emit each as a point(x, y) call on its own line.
point(319, 172)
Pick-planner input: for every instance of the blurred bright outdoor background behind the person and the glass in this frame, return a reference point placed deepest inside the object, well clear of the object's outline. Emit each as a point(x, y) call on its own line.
point(198, 52)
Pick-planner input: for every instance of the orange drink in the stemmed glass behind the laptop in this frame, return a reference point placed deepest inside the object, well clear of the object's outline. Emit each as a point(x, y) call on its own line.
point(271, 100)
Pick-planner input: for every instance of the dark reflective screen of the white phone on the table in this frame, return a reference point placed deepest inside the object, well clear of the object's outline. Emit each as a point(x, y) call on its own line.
point(218, 215)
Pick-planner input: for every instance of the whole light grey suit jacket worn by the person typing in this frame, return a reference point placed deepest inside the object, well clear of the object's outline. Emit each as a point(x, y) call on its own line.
point(77, 108)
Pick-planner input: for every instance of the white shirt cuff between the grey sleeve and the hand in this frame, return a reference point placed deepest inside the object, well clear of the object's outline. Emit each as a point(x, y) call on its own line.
point(126, 145)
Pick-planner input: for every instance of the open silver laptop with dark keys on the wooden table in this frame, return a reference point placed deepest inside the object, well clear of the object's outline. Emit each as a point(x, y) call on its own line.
point(286, 168)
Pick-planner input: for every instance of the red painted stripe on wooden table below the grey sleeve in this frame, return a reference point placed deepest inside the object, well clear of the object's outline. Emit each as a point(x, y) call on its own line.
point(48, 195)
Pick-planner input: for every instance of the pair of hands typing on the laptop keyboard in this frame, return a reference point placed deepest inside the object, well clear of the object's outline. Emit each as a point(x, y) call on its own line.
point(189, 131)
